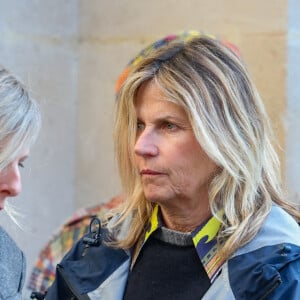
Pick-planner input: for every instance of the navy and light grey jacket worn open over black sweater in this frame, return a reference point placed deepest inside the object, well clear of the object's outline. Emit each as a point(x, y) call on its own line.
point(268, 267)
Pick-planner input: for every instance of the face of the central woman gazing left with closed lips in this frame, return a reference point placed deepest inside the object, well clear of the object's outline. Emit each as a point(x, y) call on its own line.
point(173, 167)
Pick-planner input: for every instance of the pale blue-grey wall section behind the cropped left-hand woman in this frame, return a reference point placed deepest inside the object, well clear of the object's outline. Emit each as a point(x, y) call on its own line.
point(38, 42)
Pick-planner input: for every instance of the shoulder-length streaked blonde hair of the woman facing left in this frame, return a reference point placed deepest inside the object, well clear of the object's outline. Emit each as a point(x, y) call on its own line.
point(209, 80)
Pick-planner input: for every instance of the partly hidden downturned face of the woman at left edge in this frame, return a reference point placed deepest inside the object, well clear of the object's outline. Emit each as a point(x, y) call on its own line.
point(10, 178)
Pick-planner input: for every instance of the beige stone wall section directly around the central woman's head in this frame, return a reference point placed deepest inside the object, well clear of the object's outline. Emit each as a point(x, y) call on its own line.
point(112, 32)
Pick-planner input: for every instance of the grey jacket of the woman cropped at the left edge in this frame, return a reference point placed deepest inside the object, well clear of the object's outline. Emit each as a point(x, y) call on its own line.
point(12, 268)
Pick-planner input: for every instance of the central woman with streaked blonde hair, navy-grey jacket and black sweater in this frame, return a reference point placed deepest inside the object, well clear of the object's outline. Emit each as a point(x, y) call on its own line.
point(204, 215)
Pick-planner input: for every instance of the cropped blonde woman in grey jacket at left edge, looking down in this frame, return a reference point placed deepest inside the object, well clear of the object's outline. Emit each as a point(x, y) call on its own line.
point(19, 126)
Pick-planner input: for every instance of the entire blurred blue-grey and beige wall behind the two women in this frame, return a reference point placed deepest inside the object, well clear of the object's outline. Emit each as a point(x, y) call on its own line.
point(70, 53)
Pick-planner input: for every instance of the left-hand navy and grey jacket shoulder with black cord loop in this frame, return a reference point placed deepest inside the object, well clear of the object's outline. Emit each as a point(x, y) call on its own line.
point(112, 266)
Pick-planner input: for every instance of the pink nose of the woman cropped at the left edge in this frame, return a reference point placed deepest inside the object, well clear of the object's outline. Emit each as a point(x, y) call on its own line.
point(10, 181)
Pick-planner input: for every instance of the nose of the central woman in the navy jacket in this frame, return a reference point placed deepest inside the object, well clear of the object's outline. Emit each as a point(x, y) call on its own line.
point(146, 144)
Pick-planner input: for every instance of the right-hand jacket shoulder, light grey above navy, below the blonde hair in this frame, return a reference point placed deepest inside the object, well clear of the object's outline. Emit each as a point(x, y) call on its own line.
point(270, 263)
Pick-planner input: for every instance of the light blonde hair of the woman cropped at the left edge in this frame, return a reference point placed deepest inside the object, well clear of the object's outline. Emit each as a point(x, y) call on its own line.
point(20, 121)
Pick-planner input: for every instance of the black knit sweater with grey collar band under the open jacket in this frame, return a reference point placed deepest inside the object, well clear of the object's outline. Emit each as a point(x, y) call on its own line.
point(168, 267)
